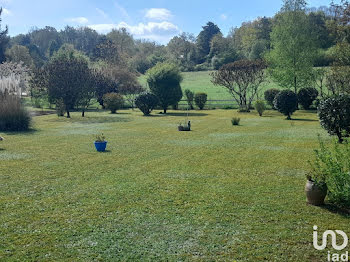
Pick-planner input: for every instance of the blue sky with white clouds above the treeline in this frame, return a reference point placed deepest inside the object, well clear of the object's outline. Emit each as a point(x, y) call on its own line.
point(157, 20)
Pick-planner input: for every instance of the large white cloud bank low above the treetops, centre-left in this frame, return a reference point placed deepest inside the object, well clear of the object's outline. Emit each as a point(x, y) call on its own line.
point(158, 31)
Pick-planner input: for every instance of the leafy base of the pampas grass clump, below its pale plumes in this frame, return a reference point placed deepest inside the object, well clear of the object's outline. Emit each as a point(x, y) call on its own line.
point(13, 116)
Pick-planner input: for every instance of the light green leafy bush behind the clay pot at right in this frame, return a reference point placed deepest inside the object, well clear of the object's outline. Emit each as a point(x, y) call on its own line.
point(332, 165)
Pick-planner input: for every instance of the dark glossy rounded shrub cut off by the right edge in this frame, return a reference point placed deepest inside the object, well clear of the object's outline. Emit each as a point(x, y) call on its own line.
point(334, 114)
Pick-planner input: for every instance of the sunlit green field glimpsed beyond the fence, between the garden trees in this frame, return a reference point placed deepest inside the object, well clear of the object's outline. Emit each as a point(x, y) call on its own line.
point(200, 82)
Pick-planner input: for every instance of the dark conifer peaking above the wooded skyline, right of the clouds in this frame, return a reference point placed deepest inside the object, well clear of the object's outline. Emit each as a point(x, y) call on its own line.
point(204, 38)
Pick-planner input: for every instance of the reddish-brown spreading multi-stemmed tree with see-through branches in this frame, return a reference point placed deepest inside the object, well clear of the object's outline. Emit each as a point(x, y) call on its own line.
point(242, 79)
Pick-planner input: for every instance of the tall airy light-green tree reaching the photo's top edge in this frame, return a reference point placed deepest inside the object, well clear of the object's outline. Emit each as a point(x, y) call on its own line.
point(294, 46)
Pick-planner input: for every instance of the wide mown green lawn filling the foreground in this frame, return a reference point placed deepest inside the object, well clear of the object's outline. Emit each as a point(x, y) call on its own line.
point(218, 193)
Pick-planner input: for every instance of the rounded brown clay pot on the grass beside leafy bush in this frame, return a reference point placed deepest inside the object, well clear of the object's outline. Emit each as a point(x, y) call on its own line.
point(315, 189)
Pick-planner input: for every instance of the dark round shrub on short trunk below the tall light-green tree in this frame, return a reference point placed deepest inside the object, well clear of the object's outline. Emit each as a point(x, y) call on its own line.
point(286, 102)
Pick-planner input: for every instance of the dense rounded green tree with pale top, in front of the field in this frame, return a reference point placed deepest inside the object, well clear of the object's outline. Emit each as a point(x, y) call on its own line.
point(164, 81)
